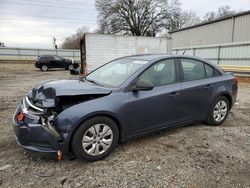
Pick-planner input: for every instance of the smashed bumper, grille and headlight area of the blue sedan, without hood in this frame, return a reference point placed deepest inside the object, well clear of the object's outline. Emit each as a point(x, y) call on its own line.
point(34, 129)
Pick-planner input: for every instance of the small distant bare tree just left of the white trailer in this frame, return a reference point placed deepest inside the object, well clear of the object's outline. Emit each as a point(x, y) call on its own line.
point(73, 41)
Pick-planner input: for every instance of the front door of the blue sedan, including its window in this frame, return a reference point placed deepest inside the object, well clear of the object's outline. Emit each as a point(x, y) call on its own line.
point(158, 107)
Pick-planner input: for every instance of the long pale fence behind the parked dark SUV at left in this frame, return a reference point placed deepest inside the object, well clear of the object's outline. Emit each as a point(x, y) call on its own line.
point(30, 54)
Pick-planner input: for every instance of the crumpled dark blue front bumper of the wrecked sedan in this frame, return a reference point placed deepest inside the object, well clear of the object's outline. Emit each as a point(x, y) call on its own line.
point(31, 134)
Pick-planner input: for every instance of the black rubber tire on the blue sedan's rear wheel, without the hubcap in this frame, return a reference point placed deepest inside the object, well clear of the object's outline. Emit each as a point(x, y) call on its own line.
point(211, 119)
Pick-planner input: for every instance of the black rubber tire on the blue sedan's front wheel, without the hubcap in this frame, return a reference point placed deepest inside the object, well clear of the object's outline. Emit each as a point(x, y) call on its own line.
point(77, 146)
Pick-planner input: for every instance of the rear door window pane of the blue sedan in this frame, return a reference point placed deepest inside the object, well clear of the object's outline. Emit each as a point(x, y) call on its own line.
point(192, 69)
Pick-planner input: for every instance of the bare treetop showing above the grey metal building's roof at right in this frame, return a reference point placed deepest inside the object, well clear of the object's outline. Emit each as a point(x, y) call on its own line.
point(221, 12)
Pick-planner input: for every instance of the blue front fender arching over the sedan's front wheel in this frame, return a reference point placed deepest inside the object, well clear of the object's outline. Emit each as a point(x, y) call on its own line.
point(68, 120)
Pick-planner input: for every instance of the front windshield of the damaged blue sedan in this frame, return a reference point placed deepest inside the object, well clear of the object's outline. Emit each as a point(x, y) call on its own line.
point(115, 73)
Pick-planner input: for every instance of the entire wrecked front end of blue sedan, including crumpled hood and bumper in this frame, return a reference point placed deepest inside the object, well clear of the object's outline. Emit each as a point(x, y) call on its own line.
point(35, 120)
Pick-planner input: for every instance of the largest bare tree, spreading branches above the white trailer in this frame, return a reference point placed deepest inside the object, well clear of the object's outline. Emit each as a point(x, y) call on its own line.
point(135, 17)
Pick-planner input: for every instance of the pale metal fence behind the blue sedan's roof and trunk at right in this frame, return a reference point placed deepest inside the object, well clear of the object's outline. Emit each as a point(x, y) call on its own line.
point(233, 57)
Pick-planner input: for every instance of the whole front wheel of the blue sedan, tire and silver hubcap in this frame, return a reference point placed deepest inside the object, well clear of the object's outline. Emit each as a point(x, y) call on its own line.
point(95, 139)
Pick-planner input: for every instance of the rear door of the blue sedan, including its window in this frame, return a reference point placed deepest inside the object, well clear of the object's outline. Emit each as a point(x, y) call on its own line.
point(195, 91)
